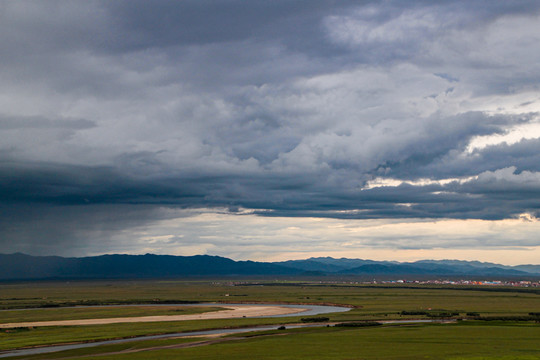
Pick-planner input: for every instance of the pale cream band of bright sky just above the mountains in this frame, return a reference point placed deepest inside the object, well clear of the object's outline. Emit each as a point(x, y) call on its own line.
point(252, 237)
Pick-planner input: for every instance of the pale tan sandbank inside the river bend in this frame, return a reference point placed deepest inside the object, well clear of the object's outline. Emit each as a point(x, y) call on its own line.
point(232, 311)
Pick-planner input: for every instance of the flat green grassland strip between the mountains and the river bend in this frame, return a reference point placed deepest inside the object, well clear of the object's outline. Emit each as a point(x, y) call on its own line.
point(373, 299)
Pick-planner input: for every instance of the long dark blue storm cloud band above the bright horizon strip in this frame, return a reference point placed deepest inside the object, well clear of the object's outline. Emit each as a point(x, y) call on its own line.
point(493, 195)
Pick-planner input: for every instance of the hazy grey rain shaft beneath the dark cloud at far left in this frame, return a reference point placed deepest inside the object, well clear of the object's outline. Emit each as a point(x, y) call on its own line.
point(48, 229)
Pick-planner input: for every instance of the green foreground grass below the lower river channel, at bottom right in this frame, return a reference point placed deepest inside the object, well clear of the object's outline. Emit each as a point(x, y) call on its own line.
point(421, 341)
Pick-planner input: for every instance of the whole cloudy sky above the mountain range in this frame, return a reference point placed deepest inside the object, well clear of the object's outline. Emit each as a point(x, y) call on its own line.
point(271, 130)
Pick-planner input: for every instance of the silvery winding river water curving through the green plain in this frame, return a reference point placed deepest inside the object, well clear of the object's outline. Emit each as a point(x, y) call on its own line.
point(310, 310)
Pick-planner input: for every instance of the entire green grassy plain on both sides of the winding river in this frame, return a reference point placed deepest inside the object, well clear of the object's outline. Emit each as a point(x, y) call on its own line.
point(466, 339)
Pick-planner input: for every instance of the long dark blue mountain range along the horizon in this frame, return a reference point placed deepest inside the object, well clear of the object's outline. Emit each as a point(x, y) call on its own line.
point(25, 267)
